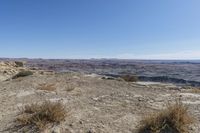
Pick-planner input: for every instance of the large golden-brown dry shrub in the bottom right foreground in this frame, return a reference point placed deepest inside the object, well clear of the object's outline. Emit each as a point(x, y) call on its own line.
point(174, 119)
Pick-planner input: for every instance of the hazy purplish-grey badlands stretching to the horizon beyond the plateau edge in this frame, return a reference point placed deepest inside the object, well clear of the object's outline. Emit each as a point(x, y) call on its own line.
point(175, 71)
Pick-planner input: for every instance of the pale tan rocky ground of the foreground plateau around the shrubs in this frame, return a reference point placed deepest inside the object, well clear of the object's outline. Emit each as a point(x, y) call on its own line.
point(95, 103)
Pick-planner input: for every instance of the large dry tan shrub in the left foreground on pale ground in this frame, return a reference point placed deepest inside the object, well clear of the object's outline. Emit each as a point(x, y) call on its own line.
point(38, 116)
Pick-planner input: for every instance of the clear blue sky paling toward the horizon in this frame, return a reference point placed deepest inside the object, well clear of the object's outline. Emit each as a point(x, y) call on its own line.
point(138, 29)
